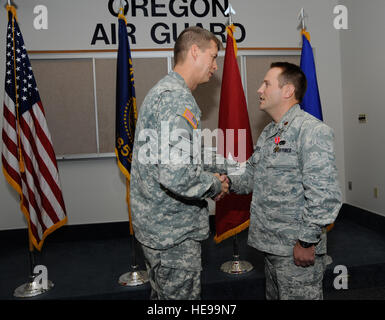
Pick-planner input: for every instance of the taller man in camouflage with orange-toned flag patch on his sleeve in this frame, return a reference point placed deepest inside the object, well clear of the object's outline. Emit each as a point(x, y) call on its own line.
point(169, 210)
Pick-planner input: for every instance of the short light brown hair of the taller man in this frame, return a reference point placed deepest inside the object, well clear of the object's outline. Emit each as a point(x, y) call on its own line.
point(193, 35)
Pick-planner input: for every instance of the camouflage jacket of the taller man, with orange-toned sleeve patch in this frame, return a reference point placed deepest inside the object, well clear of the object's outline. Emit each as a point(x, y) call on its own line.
point(168, 197)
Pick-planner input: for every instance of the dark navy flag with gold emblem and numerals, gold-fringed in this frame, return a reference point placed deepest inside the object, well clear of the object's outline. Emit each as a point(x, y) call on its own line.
point(126, 113)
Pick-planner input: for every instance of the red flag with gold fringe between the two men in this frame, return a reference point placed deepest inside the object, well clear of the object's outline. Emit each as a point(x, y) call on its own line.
point(232, 214)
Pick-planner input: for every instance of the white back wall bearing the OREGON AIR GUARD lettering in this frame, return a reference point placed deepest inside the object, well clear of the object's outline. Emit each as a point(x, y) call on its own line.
point(94, 190)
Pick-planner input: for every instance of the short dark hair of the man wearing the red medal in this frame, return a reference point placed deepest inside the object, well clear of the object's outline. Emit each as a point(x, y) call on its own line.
point(292, 74)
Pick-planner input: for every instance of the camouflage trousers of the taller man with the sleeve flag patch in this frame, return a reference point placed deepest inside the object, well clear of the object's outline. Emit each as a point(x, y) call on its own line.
point(175, 273)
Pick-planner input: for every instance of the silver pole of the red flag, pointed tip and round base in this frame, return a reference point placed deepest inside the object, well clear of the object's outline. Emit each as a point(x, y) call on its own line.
point(235, 266)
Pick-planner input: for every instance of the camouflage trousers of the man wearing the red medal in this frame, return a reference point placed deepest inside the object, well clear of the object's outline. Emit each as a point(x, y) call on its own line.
point(286, 281)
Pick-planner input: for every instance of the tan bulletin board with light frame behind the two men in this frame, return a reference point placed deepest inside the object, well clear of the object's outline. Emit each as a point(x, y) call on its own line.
point(78, 94)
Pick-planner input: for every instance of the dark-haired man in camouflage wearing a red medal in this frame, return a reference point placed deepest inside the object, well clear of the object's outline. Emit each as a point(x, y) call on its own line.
point(296, 194)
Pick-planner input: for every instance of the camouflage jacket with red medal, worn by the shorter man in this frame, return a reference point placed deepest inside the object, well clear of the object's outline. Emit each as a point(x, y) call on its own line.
point(293, 177)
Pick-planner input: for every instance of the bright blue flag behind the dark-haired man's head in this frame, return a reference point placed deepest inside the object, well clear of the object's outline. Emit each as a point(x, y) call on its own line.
point(311, 102)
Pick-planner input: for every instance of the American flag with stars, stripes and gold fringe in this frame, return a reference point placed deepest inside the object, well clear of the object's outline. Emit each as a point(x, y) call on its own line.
point(28, 158)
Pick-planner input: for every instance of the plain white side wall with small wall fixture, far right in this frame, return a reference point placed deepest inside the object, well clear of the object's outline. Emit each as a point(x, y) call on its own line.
point(363, 69)
